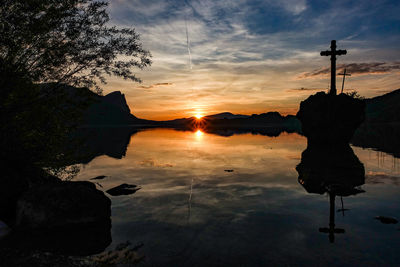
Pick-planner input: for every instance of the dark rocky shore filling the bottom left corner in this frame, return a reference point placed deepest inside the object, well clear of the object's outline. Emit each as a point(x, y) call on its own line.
point(51, 218)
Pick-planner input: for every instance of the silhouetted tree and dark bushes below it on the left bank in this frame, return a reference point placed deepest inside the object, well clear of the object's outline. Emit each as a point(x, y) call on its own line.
point(56, 43)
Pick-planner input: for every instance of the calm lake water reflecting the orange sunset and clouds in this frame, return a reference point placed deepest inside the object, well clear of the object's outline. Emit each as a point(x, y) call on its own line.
point(210, 200)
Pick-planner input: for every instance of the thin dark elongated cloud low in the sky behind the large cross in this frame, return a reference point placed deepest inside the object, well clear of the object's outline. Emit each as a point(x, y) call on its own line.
point(354, 69)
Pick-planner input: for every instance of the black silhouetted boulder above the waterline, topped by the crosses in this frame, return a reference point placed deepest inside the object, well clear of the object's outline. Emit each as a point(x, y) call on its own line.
point(330, 119)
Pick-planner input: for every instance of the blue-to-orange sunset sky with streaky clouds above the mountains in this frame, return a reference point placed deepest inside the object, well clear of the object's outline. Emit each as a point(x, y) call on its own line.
point(254, 56)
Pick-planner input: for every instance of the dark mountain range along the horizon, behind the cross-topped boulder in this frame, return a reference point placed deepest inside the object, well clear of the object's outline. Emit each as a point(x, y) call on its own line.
point(380, 129)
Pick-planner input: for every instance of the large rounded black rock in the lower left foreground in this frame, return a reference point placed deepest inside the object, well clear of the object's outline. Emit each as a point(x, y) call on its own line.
point(66, 218)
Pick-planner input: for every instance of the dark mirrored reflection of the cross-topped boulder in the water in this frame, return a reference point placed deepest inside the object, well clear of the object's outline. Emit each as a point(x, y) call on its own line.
point(335, 170)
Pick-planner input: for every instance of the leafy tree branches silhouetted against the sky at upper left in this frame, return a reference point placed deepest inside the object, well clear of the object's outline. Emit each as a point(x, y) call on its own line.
point(66, 41)
